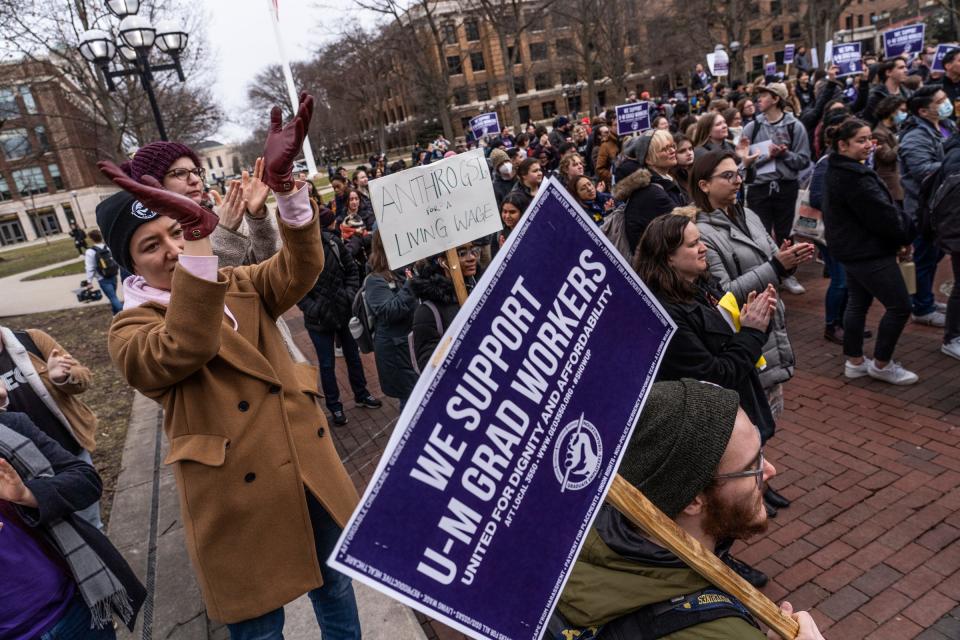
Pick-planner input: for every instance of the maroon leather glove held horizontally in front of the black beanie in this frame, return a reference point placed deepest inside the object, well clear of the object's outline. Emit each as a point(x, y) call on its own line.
point(196, 221)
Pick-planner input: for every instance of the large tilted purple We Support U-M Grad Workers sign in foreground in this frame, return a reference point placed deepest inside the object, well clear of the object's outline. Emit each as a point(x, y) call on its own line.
point(506, 449)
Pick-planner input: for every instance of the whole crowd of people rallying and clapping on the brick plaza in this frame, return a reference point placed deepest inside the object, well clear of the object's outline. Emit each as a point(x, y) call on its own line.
point(716, 206)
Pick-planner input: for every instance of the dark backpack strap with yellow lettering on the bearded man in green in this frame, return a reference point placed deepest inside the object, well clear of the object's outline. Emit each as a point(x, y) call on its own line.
point(656, 620)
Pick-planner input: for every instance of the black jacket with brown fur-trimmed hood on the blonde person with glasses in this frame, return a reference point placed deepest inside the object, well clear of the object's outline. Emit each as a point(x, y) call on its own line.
point(647, 195)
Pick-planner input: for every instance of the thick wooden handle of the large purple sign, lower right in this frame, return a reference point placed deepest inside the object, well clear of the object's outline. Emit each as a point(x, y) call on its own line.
point(644, 514)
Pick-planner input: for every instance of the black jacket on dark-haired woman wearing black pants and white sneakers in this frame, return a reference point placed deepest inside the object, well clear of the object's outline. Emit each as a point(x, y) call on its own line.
point(861, 218)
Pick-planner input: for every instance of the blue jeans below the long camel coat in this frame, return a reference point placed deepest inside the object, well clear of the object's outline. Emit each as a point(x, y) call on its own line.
point(334, 604)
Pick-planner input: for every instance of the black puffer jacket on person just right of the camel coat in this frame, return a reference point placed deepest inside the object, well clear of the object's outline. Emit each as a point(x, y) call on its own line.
point(328, 306)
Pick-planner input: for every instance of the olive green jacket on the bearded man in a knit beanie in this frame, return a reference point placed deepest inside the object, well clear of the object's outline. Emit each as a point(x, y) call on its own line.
point(606, 584)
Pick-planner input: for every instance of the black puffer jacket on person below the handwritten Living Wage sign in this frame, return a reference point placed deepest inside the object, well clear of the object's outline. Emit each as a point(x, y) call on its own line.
point(433, 284)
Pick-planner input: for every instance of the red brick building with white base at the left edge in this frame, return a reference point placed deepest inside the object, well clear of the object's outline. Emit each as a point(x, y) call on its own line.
point(48, 174)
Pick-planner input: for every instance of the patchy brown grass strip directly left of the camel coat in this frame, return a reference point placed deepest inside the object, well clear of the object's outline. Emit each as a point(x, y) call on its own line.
point(83, 333)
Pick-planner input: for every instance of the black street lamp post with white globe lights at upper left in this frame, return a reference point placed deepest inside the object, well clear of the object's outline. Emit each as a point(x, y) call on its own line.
point(134, 39)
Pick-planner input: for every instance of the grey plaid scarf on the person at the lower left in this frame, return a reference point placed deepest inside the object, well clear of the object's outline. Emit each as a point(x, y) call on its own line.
point(101, 590)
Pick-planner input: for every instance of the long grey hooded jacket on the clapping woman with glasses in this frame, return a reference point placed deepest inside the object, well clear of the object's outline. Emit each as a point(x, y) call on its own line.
point(743, 262)
